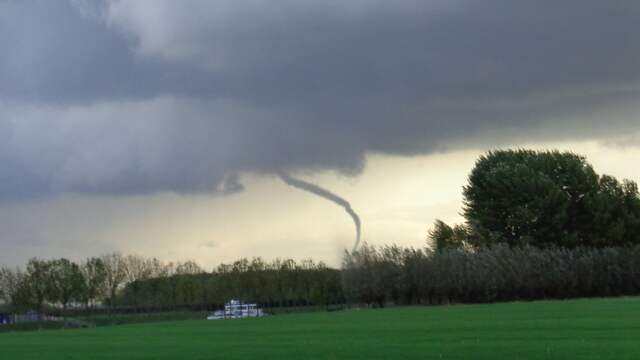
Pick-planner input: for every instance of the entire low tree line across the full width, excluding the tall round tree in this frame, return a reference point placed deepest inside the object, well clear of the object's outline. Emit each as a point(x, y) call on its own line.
point(370, 275)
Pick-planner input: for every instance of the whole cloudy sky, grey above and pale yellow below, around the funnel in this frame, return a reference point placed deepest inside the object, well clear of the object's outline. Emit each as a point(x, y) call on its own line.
point(158, 126)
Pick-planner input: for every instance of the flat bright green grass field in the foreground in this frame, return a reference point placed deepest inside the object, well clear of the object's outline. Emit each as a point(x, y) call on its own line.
point(581, 329)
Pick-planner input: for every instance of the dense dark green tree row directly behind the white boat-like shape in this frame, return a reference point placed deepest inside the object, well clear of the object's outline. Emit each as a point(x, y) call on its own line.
point(278, 283)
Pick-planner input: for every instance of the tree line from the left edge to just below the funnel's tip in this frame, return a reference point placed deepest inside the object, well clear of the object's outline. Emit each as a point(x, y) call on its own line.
point(134, 282)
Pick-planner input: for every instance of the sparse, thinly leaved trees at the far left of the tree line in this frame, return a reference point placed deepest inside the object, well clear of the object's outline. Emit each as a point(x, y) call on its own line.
point(97, 280)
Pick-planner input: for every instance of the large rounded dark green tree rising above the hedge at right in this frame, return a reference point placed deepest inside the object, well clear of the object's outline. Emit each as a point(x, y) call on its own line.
point(548, 198)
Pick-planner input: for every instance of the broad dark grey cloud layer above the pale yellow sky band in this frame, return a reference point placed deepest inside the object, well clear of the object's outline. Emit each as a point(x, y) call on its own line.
point(134, 97)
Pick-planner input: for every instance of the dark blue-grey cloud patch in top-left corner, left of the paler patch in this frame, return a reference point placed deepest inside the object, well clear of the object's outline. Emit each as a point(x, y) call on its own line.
point(51, 52)
